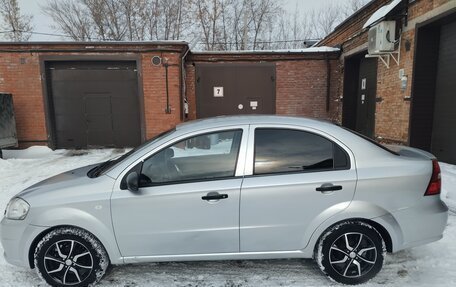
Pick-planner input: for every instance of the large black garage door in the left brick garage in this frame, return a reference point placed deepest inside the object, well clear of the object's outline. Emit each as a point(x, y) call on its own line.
point(94, 104)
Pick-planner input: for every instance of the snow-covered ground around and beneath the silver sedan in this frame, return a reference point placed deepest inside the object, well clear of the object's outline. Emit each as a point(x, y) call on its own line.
point(430, 265)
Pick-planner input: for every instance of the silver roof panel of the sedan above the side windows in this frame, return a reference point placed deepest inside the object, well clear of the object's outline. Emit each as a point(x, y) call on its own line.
point(251, 119)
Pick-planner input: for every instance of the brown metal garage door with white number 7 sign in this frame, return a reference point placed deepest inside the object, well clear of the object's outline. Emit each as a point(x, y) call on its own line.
point(233, 89)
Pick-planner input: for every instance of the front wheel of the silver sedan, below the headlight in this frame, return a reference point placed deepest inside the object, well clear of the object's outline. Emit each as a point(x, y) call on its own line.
point(70, 257)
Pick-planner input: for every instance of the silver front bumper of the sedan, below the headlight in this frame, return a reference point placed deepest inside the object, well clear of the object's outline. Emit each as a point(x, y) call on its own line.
point(17, 236)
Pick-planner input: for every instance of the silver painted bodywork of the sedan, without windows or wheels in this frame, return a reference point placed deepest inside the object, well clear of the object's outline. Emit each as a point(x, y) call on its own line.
point(264, 215)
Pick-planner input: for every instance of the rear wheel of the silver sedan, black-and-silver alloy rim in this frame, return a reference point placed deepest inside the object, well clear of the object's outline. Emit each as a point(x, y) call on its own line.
point(351, 252)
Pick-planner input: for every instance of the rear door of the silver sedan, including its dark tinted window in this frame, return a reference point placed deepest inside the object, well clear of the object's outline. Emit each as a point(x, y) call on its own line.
point(295, 179)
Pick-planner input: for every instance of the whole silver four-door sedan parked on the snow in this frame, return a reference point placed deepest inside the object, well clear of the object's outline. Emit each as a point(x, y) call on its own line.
point(245, 187)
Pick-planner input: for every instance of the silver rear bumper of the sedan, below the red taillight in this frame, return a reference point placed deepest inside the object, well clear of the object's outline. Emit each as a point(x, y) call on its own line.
point(420, 224)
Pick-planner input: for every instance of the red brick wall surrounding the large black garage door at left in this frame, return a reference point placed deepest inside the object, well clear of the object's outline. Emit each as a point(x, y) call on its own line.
point(20, 75)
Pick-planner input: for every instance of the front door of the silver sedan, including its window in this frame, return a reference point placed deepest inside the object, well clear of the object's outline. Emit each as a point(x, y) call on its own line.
point(188, 198)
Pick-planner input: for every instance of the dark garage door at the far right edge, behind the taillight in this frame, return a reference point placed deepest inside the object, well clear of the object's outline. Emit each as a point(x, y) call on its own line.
point(443, 143)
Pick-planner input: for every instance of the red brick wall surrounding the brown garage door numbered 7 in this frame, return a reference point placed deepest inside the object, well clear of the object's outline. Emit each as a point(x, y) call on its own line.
point(300, 81)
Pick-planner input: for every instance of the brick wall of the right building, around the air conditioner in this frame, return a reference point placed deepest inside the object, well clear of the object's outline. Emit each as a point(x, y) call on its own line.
point(393, 112)
